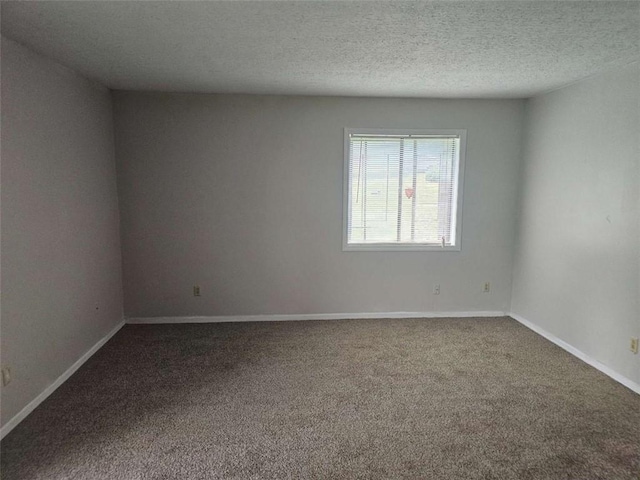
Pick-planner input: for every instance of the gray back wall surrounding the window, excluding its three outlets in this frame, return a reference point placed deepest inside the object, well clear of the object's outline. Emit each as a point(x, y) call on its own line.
point(243, 196)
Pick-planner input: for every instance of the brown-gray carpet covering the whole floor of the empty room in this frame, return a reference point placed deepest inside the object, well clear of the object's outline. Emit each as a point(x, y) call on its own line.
point(354, 399)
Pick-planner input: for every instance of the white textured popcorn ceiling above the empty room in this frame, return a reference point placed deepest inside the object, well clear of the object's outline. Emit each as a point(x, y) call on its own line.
point(374, 48)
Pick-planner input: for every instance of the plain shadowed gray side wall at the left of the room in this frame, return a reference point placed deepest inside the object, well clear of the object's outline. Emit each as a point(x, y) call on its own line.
point(61, 275)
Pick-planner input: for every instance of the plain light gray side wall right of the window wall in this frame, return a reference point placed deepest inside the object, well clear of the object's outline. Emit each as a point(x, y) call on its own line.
point(576, 271)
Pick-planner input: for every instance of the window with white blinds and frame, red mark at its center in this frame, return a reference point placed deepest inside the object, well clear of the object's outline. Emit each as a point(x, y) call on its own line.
point(403, 189)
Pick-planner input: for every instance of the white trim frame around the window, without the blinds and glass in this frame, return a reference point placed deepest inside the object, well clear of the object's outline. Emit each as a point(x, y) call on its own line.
point(395, 247)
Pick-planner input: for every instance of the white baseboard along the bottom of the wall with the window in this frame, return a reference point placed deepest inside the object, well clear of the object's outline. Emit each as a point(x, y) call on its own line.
point(309, 316)
